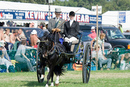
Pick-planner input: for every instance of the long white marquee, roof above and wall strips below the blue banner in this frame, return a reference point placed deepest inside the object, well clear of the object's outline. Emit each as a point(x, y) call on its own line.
point(9, 6)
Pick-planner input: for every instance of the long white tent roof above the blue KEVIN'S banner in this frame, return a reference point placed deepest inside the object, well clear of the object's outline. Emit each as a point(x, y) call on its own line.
point(40, 7)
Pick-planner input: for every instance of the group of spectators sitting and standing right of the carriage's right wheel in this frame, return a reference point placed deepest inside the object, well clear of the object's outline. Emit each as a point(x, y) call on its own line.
point(101, 54)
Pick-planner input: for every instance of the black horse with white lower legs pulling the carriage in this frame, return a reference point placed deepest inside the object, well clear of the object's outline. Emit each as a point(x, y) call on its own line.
point(51, 53)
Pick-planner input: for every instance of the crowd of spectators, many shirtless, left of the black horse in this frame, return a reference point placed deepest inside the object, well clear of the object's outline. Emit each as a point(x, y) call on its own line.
point(7, 41)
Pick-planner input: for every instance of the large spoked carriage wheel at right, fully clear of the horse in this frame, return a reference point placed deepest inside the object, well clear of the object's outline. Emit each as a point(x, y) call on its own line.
point(86, 64)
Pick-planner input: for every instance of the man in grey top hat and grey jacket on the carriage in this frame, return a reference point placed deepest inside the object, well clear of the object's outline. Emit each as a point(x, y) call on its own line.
point(56, 22)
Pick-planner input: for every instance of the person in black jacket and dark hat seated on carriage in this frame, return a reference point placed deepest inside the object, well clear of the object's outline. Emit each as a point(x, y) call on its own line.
point(71, 30)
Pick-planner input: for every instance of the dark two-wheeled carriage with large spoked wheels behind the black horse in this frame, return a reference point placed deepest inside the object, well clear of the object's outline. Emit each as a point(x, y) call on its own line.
point(57, 48)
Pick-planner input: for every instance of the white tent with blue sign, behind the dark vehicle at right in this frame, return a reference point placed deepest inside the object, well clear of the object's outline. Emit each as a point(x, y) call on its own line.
point(113, 18)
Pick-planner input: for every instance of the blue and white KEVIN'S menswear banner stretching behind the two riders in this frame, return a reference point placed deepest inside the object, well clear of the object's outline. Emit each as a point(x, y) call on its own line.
point(42, 15)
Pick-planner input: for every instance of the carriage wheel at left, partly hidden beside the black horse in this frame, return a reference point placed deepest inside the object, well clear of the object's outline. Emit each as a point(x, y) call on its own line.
point(38, 66)
